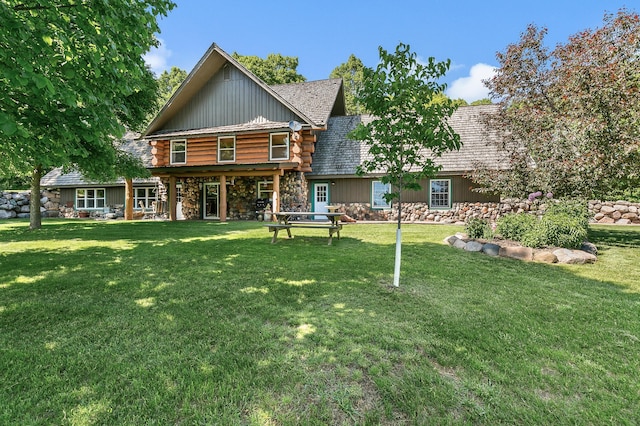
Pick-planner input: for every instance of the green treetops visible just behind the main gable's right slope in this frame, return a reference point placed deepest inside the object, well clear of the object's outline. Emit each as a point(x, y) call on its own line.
point(274, 69)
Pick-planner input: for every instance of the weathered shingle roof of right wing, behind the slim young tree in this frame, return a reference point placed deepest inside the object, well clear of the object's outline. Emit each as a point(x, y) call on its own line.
point(337, 155)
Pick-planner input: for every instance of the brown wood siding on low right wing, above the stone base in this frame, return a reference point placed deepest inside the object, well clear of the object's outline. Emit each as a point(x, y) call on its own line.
point(354, 190)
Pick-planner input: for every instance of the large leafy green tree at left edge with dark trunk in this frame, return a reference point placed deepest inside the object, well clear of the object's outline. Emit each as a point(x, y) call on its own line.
point(70, 91)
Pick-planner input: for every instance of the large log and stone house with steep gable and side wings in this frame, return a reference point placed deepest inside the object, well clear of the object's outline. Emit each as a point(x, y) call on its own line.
point(226, 144)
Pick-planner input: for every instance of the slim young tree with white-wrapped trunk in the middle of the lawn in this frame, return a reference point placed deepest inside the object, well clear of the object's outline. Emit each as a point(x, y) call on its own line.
point(408, 131)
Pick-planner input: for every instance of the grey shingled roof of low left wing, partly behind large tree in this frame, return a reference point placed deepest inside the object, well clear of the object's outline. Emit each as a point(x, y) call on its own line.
point(140, 148)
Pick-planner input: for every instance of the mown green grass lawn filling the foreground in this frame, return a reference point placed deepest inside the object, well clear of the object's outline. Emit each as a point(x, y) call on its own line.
point(209, 323)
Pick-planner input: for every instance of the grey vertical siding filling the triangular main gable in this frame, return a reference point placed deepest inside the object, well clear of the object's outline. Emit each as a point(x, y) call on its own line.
point(235, 100)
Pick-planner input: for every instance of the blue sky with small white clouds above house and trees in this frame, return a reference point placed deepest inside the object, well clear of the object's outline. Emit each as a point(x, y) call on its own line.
point(322, 34)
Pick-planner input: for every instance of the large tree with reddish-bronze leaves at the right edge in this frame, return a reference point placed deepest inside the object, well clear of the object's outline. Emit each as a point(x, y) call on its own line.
point(569, 117)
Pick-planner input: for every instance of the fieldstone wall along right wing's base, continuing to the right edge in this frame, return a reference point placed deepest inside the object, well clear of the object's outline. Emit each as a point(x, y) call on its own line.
point(620, 212)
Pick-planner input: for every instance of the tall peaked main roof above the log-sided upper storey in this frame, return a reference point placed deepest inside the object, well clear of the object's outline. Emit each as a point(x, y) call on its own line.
point(312, 102)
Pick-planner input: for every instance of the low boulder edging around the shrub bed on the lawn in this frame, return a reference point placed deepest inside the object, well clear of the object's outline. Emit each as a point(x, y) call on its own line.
point(505, 248)
